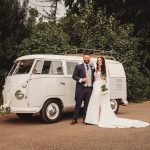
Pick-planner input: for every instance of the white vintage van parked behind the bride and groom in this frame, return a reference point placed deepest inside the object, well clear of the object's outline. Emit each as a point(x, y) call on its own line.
point(43, 83)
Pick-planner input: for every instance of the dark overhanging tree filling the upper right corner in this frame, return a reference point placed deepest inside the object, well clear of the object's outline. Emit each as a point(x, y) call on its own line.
point(126, 12)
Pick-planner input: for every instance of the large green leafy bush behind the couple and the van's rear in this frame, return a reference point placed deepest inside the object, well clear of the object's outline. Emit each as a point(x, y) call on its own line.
point(97, 30)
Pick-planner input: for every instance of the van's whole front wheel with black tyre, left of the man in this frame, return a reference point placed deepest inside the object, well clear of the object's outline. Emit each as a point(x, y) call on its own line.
point(51, 111)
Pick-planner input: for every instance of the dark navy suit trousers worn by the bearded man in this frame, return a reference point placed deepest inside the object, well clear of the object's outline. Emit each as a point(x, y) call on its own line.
point(84, 95)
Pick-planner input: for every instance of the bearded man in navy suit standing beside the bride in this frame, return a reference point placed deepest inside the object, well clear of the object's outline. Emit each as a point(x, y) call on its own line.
point(84, 76)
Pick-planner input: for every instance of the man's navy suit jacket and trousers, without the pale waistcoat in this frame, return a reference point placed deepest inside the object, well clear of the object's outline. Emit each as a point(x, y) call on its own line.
point(82, 93)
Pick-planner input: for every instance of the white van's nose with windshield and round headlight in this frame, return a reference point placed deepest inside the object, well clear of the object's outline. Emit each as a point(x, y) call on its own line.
point(15, 89)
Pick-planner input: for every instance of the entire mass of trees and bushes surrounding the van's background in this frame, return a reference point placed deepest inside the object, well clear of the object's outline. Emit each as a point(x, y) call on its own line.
point(95, 24)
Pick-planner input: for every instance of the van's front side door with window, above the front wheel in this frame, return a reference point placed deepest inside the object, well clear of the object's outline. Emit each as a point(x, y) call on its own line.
point(47, 81)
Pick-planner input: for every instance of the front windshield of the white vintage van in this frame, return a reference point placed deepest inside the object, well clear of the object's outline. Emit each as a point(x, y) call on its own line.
point(21, 67)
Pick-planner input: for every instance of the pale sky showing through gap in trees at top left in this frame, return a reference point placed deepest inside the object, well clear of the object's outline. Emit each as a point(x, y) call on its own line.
point(40, 5)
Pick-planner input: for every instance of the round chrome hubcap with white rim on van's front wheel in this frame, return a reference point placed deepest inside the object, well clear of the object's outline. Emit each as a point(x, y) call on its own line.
point(52, 111)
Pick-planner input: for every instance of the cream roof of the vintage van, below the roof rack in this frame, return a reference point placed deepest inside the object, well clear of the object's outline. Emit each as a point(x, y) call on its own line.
point(62, 57)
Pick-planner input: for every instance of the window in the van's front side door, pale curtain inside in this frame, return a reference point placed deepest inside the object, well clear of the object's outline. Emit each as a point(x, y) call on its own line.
point(52, 68)
